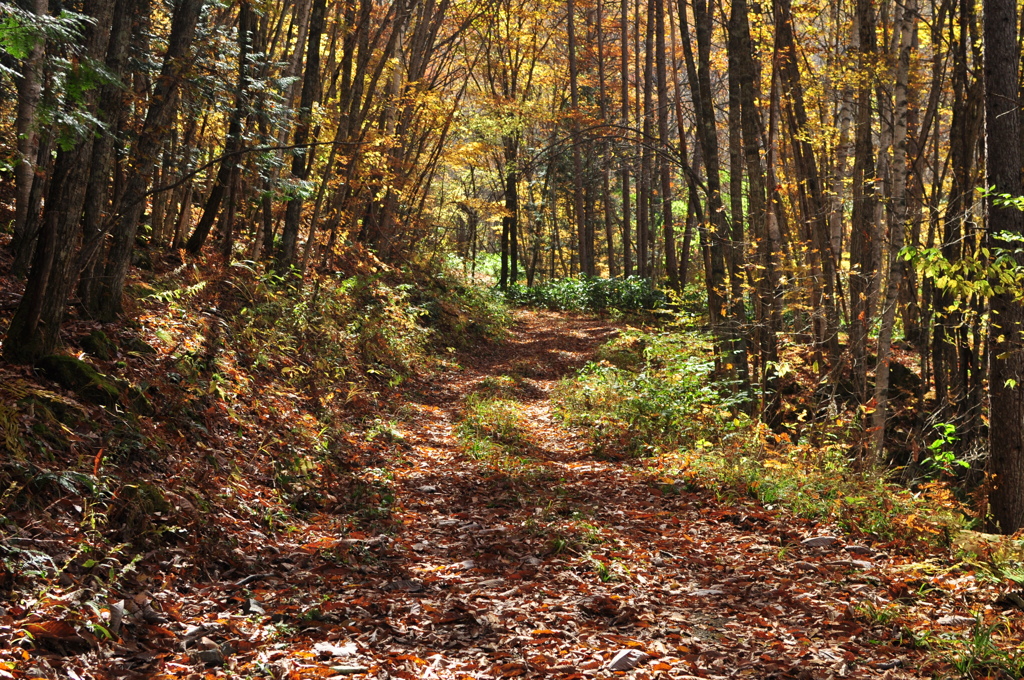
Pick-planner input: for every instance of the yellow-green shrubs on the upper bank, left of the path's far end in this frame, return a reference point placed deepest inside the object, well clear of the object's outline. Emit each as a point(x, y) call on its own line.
point(383, 324)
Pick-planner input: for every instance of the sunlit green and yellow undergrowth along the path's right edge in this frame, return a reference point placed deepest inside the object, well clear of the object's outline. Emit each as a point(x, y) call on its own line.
point(654, 397)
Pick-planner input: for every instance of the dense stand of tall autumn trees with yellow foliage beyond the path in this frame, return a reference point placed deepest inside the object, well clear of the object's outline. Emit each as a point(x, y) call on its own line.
point(813, 178)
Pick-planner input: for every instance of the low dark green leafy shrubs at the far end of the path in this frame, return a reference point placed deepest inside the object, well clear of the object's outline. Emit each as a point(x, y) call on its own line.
point(589, 294)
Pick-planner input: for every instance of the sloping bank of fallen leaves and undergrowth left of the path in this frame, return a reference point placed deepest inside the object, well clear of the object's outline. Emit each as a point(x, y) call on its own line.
point(270, 403)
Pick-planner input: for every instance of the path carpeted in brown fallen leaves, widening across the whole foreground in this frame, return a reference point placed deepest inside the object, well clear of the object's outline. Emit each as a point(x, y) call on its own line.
point(545, 561)
